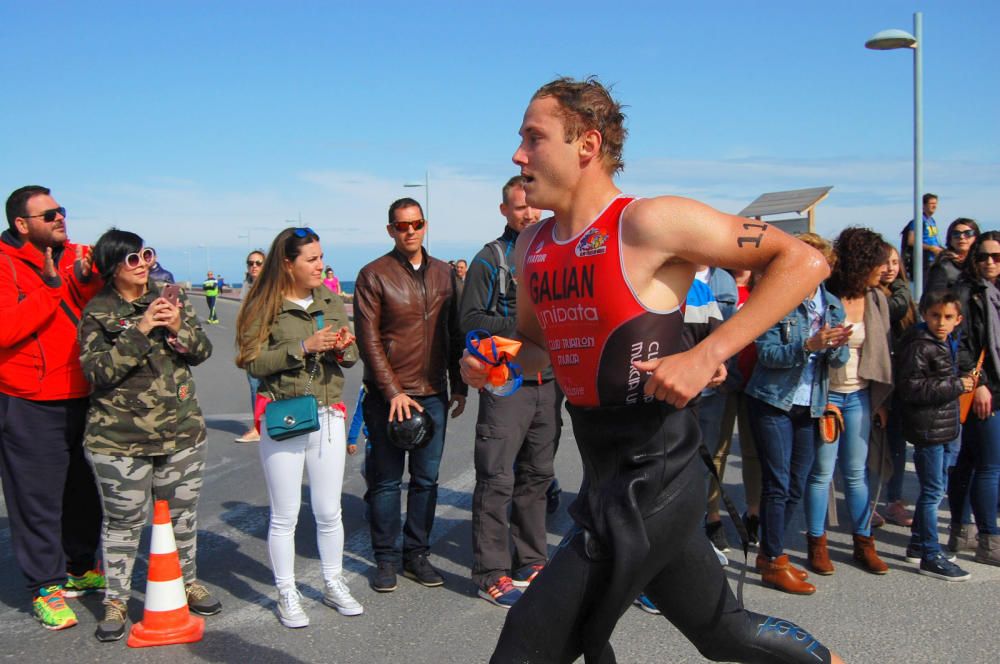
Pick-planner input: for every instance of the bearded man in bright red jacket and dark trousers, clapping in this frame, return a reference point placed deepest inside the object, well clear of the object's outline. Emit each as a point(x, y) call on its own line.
point(49, 488)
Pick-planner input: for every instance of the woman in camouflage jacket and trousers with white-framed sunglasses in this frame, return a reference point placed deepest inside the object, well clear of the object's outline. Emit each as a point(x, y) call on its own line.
point(145, 431)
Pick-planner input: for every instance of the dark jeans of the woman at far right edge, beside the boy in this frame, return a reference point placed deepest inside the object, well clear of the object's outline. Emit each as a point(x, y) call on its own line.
point(981, 451)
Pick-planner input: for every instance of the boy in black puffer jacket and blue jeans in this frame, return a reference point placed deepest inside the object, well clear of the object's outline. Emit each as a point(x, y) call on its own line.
point(928, 386)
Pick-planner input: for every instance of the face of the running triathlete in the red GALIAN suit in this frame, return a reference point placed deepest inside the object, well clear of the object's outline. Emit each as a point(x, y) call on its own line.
point(548, 163)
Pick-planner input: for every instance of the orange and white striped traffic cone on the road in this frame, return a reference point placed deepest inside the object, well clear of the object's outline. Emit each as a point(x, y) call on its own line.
point(166, 619)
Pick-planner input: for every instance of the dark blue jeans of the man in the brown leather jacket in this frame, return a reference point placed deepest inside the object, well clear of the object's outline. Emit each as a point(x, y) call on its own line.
point(384, 468)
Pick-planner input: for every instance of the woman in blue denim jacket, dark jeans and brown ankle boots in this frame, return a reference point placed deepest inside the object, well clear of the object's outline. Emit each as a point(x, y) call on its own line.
point(787, 394)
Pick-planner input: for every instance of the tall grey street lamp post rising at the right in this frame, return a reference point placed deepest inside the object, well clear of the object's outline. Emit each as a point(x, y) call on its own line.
point(885, 41)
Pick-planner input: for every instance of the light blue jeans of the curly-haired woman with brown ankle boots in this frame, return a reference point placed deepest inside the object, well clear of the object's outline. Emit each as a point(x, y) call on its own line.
point(851, 450)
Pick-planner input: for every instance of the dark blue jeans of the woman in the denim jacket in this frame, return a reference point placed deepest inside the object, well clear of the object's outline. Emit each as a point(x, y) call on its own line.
point(786, 444)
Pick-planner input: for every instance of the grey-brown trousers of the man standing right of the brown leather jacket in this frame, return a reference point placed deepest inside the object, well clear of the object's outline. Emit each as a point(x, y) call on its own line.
point(514, 451)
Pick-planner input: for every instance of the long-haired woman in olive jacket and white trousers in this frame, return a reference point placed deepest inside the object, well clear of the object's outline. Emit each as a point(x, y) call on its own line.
point(293, 334)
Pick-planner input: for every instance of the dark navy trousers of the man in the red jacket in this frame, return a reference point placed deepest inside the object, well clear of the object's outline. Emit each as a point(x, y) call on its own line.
point(49, 488)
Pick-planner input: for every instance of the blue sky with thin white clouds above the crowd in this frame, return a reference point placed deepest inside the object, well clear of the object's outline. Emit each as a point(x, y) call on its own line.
point(197, 124)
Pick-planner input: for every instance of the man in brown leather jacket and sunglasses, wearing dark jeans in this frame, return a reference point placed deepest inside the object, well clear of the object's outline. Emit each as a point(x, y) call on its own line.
point(406, 321)
